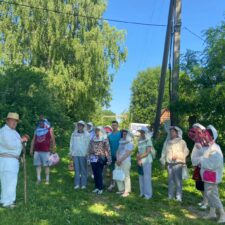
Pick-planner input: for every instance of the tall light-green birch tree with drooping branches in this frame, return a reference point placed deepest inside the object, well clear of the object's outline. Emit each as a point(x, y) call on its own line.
point(73, 48)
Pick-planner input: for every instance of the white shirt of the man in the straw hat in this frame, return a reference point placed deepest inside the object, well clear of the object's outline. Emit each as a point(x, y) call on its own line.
point(10, 141)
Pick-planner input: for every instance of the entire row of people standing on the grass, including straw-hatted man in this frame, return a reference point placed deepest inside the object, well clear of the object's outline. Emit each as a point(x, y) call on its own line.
point(101, 146)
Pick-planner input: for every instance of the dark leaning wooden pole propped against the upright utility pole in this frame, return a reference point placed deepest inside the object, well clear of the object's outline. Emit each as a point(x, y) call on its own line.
point(164, 68)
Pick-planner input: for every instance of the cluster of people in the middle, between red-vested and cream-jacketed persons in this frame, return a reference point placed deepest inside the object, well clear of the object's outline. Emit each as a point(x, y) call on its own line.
point(102, 146)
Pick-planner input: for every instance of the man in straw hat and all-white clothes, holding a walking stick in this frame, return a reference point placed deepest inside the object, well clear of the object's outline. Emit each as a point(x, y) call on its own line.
point(10, 150)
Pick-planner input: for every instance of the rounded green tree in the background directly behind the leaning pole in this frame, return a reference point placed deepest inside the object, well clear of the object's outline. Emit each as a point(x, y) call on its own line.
point(144, 96)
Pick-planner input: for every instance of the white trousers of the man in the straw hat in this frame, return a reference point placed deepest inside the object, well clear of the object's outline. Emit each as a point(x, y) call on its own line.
point(9, 168)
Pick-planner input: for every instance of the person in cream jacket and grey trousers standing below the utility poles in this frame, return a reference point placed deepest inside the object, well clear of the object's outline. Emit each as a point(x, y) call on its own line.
point(174, 154)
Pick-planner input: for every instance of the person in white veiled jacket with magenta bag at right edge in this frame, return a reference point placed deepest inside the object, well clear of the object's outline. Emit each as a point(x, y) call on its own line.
point(212, 171)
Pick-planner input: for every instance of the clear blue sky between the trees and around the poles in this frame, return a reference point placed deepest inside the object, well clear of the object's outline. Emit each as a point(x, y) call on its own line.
point(145, 44)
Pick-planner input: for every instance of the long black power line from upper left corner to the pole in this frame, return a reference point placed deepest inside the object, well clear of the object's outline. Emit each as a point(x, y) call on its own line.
point(84, 16)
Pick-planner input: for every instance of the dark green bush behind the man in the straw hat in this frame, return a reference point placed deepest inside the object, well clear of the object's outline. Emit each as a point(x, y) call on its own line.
point(26, 91)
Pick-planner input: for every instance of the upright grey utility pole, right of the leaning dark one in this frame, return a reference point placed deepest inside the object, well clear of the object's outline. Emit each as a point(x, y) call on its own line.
point(176, 61)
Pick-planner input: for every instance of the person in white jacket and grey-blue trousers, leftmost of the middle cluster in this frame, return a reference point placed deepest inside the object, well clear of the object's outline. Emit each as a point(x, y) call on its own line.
point(79, 144)
